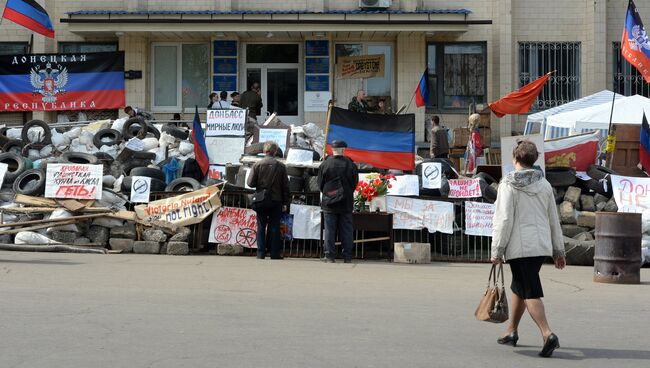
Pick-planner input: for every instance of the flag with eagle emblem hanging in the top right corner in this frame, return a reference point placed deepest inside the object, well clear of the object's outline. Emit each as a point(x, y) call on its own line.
point(635, 46)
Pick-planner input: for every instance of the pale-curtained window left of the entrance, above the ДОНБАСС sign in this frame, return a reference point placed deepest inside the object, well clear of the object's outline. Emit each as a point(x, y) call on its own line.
point(181, 76)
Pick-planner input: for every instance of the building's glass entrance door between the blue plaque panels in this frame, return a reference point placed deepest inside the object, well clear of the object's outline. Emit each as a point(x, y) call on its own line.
point(276, 68)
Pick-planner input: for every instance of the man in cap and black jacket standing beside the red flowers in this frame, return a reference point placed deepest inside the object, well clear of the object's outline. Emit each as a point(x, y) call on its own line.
point(337, 179)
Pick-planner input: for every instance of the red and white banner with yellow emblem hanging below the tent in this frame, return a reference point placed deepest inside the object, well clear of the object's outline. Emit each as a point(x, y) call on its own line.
point(577, 151)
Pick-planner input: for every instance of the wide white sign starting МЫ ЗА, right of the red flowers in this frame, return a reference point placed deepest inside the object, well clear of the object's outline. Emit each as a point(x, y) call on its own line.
point(417, 214)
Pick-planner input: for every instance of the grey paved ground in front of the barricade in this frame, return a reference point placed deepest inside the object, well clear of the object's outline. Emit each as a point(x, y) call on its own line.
point(67, 310)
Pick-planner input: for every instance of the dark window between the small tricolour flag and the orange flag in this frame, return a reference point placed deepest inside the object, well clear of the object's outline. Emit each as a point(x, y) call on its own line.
point(457, 74)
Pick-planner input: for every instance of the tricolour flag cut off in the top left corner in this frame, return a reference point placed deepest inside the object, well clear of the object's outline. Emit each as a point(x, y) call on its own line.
point(29, 14)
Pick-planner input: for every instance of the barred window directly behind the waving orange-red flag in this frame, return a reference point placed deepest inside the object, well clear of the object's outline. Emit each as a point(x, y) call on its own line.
point(539, 58)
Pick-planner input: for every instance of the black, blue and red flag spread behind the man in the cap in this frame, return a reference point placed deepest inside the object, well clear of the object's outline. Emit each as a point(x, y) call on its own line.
point(383, 141)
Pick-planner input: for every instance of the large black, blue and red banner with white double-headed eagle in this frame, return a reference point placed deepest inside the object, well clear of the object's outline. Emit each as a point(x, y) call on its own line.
point(51, 82)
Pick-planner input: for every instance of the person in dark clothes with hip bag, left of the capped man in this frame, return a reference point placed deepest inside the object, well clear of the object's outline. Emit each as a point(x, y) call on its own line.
point(271, 175)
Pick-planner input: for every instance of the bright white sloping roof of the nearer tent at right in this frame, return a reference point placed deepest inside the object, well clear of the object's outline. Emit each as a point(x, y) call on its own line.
point(628, 110)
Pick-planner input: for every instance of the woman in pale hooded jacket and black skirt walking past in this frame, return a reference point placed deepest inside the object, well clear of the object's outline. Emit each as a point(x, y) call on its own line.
point(526, 231)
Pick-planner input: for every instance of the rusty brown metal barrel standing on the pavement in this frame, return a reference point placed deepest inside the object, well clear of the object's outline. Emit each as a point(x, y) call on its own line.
point(617, 255)
